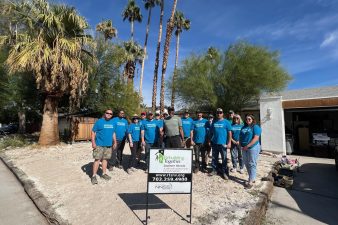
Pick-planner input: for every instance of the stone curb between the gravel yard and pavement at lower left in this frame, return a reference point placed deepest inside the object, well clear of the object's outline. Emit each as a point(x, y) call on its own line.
point(41, 202)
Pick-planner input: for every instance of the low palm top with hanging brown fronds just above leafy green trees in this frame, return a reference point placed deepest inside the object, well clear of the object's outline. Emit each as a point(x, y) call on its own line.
point(133, 54)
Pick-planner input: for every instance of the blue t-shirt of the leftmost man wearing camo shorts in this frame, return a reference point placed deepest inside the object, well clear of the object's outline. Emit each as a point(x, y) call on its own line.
point(104, 130)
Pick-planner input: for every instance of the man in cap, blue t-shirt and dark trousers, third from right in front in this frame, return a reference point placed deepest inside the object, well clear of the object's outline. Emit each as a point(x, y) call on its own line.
point(220, 132)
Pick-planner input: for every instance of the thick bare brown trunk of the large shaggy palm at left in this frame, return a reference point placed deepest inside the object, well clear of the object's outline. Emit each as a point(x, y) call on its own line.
point(49, 130)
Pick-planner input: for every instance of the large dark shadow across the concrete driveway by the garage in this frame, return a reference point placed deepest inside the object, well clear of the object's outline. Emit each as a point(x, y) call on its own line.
point(316, 192)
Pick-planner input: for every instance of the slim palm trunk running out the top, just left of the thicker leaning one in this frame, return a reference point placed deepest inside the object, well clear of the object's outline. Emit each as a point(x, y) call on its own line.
point(157, 60)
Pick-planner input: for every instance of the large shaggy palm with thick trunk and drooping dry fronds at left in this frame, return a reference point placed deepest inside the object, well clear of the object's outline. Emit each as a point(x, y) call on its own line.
point(50, 42)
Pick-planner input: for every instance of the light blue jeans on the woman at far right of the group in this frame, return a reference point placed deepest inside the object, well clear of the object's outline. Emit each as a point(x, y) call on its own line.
point(250, 158)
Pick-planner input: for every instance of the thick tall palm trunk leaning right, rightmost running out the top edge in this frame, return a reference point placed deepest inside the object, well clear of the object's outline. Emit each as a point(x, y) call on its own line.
point(170, 27)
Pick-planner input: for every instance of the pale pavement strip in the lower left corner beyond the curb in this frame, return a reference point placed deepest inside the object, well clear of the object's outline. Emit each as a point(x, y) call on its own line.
point(15, 206)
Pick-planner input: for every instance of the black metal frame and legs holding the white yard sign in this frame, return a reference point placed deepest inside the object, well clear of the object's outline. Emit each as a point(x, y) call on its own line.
point(148, 176)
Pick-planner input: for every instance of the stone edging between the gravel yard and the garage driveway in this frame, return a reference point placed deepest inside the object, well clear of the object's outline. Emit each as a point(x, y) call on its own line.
point(256, 215)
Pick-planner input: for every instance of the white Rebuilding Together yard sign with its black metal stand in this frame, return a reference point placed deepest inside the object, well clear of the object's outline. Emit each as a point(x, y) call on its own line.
point(169, 172)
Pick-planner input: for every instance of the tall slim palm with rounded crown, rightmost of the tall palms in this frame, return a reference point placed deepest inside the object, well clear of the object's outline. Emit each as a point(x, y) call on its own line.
point(180, 23)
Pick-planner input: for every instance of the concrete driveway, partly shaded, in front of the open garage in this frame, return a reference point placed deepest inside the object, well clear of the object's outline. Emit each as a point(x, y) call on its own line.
point(313, 199)
